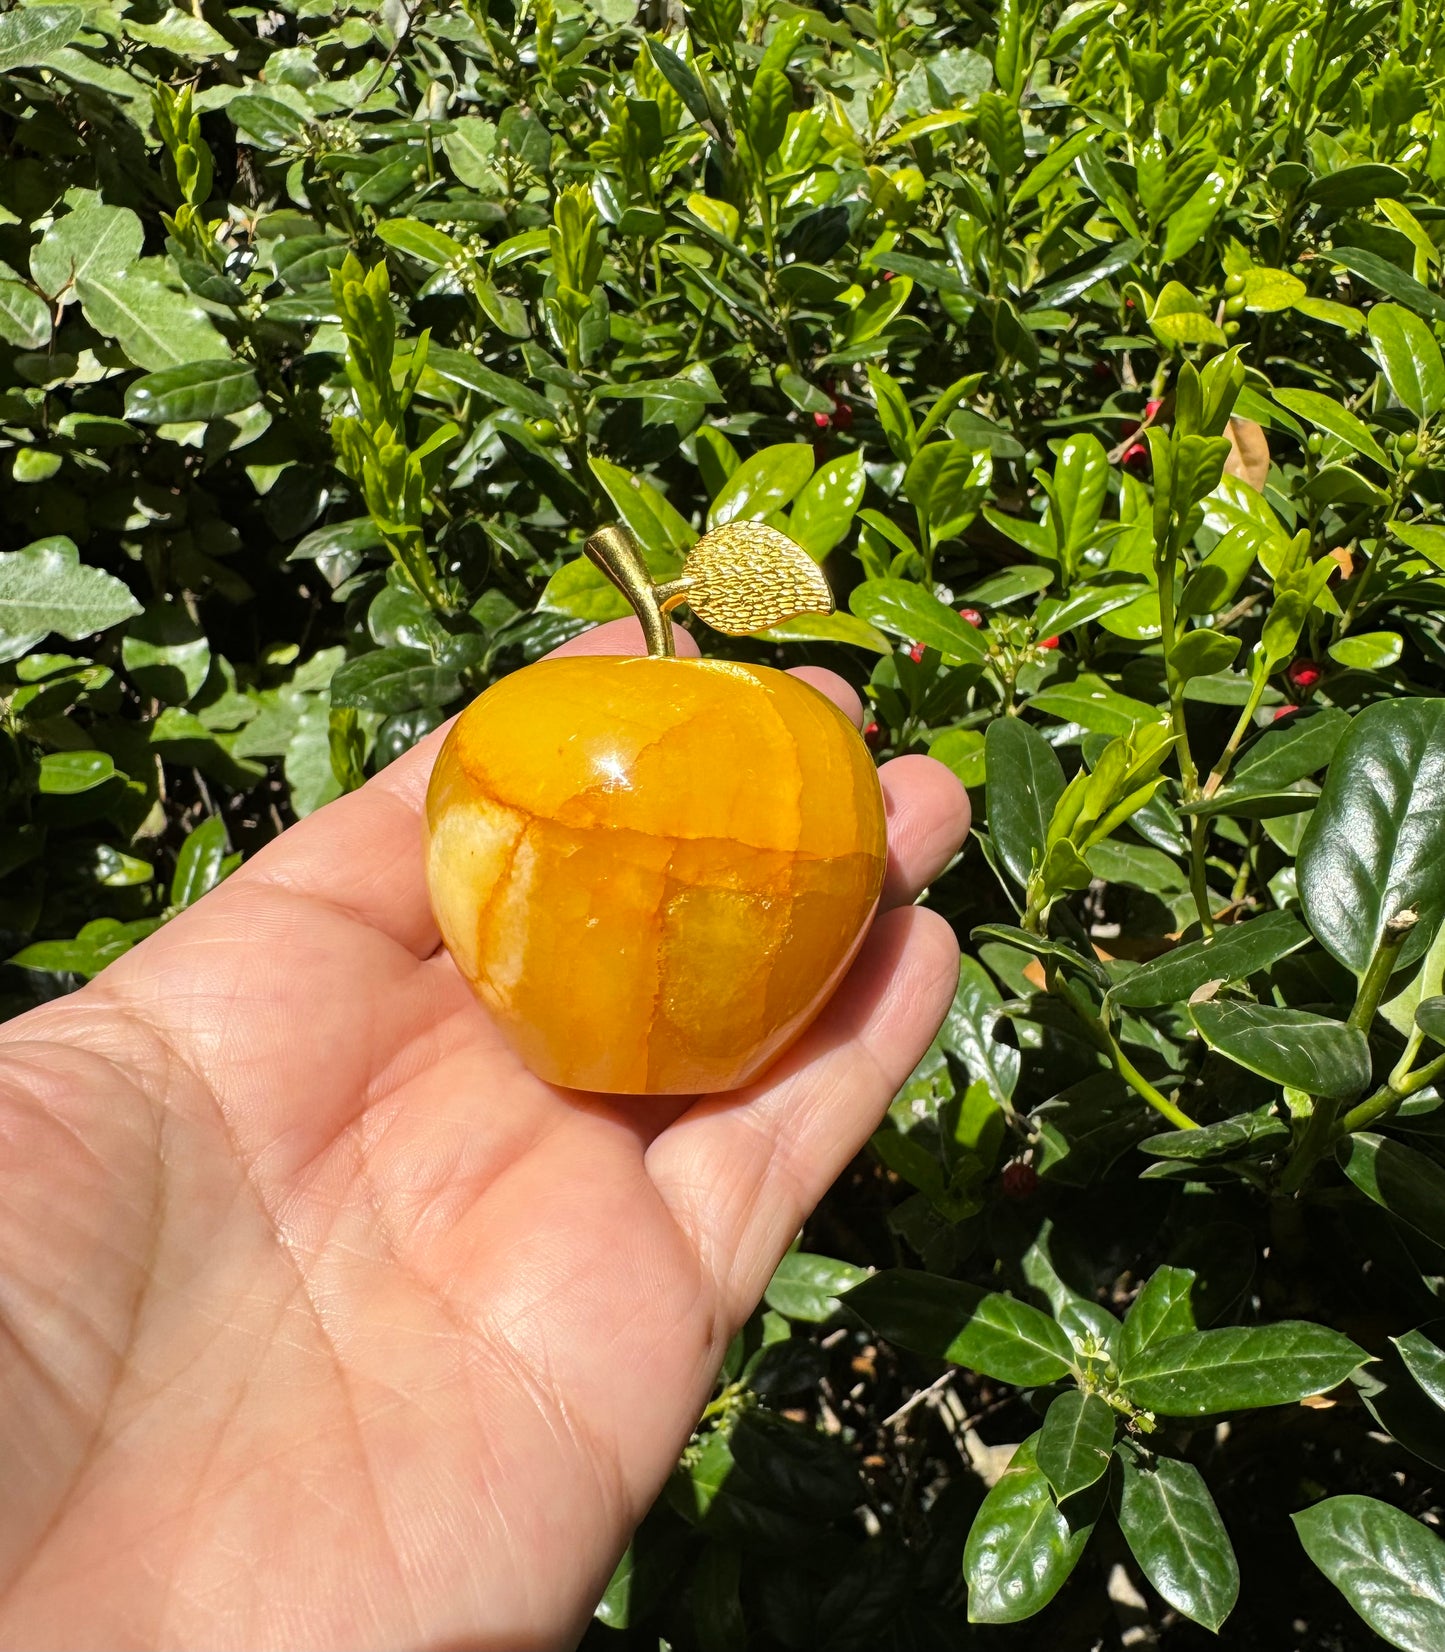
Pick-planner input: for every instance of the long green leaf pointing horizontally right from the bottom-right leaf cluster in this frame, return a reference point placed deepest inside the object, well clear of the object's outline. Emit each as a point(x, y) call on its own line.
point(1239, 1369)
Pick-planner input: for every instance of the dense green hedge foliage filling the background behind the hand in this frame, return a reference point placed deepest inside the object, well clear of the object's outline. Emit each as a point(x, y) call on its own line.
point(1096, 354)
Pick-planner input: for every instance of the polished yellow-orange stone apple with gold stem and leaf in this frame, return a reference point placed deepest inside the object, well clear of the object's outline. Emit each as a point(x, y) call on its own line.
point(655, 871)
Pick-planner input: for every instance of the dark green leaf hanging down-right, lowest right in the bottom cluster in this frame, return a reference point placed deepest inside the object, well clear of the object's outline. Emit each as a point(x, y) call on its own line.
point(1175, 1534)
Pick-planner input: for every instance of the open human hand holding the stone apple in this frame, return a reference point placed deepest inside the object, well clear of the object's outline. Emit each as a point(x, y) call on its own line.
point(323, 1322)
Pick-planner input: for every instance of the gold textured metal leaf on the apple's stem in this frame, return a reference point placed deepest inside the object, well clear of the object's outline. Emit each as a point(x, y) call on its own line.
point(746, 577)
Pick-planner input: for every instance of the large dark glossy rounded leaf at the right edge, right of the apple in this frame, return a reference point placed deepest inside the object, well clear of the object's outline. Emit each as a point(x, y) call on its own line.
point(1372, 848)
